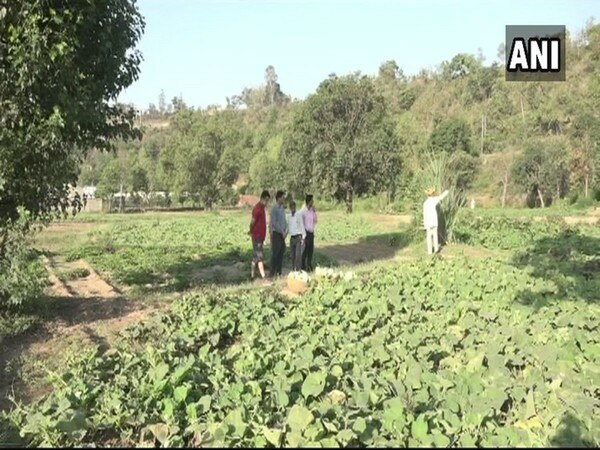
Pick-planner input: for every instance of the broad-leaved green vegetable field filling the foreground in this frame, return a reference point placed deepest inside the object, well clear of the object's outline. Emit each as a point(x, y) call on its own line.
point(443, 352)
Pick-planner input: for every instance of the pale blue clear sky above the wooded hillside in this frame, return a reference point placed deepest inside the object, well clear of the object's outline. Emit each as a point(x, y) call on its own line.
point(207, 50)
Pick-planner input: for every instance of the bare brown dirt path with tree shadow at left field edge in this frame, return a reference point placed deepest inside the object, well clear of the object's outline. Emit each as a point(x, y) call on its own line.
point(86, 310)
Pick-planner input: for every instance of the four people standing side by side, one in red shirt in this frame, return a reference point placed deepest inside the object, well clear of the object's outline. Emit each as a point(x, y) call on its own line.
point(299, 225)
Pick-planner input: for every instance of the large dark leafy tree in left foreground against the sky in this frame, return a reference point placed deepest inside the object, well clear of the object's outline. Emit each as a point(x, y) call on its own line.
point(61, 68)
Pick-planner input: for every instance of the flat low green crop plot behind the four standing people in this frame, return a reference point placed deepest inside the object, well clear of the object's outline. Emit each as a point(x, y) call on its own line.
point(177, 252)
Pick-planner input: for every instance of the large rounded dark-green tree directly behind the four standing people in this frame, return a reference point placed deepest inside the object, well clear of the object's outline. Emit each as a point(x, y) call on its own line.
point(342, 142)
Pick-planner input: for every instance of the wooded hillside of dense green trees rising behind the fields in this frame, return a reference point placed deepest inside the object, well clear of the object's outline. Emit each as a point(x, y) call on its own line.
point(367, 135)
